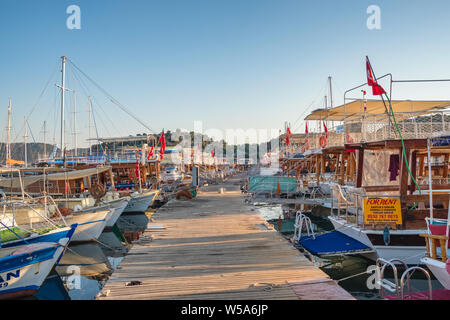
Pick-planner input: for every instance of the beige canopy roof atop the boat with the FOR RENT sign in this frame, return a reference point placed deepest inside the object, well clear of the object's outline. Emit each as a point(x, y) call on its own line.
point(353, 110)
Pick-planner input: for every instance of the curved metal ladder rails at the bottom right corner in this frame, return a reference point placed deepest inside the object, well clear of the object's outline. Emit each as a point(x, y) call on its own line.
point(396, 287)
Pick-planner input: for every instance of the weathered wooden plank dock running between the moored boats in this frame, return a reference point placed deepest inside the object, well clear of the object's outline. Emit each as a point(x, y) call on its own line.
point(216, 247)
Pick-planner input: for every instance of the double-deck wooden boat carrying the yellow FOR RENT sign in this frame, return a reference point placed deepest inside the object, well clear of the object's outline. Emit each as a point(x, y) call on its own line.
point(387, 217)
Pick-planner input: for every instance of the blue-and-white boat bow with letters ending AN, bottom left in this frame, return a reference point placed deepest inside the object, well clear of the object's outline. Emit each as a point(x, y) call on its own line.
point(25, 263)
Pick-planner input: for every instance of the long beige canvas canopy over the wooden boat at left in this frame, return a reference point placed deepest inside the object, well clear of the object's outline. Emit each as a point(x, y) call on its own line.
point(14, 183)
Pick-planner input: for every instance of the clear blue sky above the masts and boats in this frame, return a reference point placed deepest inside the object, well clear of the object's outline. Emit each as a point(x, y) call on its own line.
point(229, 63)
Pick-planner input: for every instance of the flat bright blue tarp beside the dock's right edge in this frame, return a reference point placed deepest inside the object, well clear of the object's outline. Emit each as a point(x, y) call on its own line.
point(331, 243)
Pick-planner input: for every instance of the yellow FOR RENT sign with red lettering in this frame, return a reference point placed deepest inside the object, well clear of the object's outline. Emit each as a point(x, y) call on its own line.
point(382, 211)
